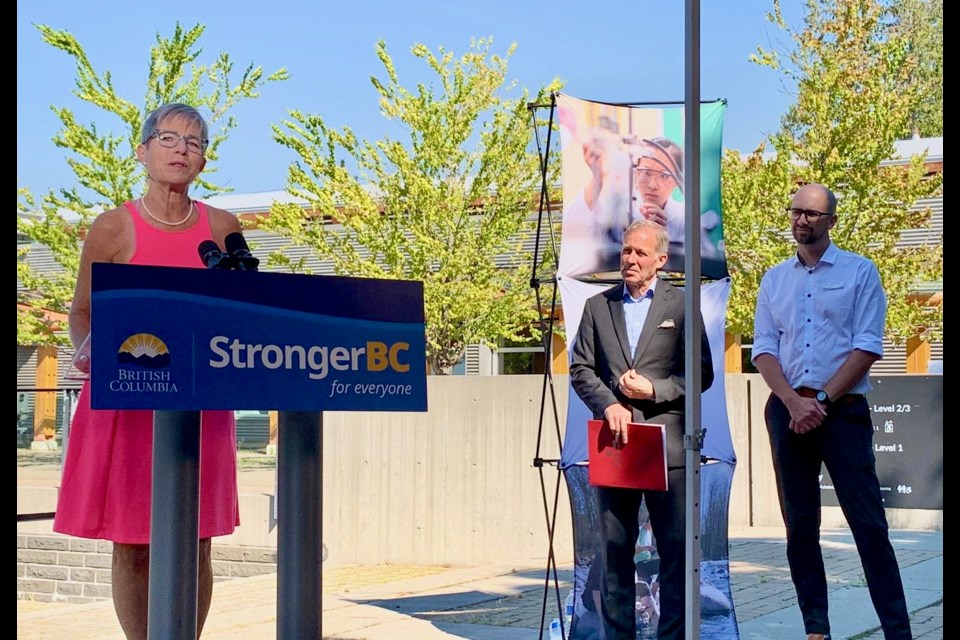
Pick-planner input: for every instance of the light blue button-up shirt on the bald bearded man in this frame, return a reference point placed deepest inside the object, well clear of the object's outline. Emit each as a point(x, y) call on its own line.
point(811, 318)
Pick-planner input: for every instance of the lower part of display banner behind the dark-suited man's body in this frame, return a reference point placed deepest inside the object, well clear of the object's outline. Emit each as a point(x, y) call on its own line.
point(718, 618)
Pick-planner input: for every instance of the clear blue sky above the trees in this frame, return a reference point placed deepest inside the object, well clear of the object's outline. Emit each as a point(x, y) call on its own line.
point(603, 50)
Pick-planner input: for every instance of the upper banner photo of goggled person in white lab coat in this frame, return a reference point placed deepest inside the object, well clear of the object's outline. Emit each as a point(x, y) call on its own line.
point(624, 163)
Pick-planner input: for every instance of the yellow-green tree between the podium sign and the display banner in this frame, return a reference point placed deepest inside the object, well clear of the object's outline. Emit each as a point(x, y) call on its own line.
point(440, 206)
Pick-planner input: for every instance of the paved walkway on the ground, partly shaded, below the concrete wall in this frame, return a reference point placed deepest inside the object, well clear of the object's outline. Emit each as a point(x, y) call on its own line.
point(506, 603)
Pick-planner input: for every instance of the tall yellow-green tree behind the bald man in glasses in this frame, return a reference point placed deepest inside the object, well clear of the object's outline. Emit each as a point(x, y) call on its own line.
point(855, 90)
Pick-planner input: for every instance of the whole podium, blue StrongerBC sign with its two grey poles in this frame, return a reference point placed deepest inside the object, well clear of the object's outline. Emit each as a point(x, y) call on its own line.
point(178, 340)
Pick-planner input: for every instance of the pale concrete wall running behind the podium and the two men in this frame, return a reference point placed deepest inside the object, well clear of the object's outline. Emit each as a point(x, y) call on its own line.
point(457, 485)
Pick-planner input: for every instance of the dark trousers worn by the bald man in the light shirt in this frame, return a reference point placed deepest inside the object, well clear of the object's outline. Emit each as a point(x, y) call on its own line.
point(844, 443)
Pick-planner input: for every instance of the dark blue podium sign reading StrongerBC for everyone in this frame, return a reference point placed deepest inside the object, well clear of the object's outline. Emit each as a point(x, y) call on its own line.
point(172, 338)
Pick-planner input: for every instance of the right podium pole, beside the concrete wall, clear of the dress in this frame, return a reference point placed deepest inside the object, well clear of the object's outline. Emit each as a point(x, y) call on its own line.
point(300, 525)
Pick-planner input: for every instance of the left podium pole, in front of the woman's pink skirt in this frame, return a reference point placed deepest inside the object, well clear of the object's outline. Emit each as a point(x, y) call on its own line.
point(174, 526)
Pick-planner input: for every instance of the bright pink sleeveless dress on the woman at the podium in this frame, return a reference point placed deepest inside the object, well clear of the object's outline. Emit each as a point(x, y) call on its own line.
point(105, 489)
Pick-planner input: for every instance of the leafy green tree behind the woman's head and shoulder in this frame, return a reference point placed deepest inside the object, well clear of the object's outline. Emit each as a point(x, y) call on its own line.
point(104, 163)
